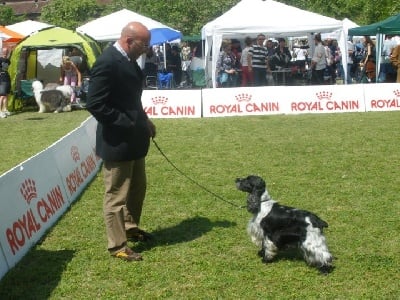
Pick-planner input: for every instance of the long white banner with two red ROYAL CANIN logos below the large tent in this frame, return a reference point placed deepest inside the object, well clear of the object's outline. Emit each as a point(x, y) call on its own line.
point(283, 100)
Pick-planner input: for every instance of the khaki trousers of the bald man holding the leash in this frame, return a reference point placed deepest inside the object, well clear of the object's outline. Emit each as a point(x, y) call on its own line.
point(125, 190)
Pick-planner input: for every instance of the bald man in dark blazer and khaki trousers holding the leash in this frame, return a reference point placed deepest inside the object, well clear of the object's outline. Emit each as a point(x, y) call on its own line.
point(122, 136)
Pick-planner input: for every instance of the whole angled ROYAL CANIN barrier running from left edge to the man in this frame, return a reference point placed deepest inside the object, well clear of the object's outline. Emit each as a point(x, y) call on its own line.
point(38, 191)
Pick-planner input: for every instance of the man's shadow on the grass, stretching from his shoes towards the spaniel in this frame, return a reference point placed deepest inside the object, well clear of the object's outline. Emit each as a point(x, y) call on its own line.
point(185, 231)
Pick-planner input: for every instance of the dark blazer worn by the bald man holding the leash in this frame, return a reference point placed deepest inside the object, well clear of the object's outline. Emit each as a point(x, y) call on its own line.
point(114, 99)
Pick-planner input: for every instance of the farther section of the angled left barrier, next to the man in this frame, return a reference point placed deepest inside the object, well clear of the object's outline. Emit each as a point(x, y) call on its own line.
point(76, 161)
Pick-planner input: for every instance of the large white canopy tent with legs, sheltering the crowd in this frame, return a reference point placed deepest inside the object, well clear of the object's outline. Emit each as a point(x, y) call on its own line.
point(250, 17)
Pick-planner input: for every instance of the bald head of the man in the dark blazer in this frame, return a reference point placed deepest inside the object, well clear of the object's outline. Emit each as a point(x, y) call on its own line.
point(135, 39)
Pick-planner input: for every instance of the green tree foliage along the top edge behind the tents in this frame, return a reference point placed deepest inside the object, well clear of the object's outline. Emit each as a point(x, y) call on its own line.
point(189, 16)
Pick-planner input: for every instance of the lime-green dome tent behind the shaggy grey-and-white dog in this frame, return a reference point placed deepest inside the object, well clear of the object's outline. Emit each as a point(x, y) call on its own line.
point(24, 58)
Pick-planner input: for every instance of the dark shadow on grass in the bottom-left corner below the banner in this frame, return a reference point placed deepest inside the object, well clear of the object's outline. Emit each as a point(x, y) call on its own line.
point(38, 273)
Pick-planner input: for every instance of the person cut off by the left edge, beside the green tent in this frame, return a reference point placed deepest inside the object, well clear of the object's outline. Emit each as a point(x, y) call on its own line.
point(5, 83)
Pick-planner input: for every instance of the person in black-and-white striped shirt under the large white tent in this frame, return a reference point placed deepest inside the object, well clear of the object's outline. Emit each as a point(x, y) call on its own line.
point(258, 61)
